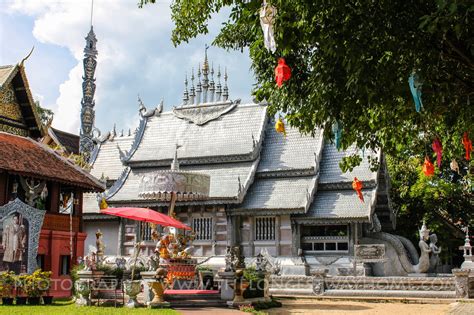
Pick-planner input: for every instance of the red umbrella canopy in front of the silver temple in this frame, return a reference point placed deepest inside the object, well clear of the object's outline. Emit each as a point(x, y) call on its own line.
point(146, 215)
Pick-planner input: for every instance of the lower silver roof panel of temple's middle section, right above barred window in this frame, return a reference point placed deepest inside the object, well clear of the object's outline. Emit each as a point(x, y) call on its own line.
point(293, 195)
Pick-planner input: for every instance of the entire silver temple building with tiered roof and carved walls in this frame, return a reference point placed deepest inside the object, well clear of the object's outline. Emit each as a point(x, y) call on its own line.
point(283, 194)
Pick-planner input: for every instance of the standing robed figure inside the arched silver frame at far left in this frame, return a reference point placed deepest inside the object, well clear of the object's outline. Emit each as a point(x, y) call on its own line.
point(14, 243)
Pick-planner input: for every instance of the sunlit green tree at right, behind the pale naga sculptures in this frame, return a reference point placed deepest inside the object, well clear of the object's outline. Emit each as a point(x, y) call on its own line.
point(445, 201)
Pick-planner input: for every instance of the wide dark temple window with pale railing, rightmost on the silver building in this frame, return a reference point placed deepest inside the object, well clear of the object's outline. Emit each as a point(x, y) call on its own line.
point(325, 239)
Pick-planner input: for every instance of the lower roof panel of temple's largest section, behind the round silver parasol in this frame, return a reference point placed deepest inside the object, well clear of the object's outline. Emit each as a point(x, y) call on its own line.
point(229, 181)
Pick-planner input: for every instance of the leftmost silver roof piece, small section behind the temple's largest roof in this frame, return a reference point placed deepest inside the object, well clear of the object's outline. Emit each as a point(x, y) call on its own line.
point(108, 160)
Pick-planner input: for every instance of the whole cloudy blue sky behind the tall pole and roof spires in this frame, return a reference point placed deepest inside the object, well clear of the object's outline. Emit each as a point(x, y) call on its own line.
point(135, 57)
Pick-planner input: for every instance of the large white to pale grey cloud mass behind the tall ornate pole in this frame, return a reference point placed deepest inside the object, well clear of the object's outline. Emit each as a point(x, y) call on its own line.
point(135, 57)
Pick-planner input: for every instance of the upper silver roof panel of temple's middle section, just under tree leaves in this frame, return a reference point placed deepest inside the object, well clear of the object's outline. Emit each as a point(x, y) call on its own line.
point(290, 153)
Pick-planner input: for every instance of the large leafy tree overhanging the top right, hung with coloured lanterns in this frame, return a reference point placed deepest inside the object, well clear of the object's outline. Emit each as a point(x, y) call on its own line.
point(350, 64)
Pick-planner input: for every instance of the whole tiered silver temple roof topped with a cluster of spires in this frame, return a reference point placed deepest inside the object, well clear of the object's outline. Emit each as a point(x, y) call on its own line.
point(253, 169)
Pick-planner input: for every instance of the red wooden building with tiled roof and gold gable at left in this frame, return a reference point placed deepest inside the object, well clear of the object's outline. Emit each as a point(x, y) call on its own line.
point(33, 175)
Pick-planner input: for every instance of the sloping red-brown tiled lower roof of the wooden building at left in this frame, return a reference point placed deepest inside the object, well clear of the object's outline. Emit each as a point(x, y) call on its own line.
point(29, 158)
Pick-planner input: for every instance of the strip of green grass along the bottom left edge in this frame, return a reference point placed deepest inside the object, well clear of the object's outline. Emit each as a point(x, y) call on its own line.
point(68, 307)
